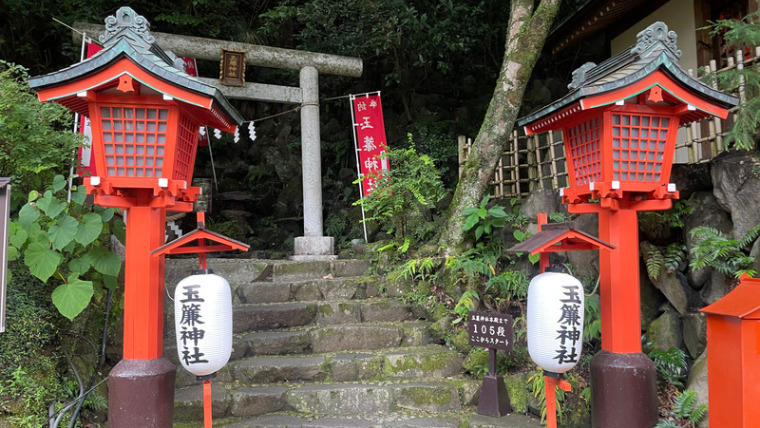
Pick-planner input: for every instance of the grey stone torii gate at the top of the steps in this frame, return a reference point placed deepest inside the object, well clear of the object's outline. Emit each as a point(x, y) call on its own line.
point(313, 245)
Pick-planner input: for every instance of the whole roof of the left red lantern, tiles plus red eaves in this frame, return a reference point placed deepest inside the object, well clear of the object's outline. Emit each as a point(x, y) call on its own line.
point(152, 72)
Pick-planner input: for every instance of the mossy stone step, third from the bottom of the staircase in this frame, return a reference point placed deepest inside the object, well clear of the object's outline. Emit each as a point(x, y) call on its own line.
point(433, 361)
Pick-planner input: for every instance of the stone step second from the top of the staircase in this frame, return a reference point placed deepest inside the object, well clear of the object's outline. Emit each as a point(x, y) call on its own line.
point(306, 290)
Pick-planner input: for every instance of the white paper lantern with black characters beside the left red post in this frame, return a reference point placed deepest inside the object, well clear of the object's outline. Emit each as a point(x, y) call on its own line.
point(203, 322)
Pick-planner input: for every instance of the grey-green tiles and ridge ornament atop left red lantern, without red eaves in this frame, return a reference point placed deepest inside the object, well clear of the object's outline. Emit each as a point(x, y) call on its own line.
point(128, 35)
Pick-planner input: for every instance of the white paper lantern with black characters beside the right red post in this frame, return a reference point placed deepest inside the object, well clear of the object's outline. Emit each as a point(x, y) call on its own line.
point(555, 321)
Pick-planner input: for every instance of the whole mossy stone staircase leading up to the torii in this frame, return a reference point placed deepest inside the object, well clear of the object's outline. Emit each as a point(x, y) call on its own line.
point(317, 344)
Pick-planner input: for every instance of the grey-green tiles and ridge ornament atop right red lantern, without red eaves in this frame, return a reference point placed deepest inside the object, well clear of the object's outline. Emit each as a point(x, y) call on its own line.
point(655, 49)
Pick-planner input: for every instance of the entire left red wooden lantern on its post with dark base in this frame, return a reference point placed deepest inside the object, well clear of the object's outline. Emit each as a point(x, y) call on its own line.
point(145, 117)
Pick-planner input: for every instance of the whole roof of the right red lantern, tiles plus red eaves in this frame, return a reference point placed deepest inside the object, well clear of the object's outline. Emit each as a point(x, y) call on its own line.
point(652, 63)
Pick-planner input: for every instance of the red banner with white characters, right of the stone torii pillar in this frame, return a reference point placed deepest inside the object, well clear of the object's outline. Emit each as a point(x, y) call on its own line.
point(370, 139)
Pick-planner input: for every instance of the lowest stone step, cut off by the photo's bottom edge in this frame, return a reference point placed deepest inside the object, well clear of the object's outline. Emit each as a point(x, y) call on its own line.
point(459, 419)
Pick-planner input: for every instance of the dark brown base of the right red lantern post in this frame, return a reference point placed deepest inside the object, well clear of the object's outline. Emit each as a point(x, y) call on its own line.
point(624, 391)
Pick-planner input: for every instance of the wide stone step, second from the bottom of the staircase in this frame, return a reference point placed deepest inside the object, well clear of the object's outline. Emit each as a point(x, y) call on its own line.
point(334, 399)
